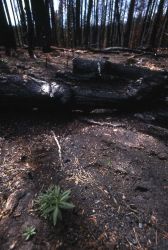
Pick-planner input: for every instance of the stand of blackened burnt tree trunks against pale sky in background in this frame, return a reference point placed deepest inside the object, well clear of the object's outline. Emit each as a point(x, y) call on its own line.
point(83, 23)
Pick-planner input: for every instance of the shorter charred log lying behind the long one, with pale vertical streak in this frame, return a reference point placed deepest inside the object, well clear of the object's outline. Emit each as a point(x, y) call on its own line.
point(103, 68)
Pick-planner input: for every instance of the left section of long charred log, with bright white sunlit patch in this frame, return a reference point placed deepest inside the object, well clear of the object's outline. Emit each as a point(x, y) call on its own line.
point(20, 93)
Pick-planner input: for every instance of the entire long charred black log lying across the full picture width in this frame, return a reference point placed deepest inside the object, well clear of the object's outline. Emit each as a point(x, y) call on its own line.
point(17, 92)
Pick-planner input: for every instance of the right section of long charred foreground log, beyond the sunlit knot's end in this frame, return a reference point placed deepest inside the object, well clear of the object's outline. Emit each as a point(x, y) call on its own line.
point(142, 94)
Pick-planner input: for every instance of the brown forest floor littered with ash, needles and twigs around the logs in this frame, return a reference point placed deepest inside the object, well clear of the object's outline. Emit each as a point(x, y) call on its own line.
point(116, 166)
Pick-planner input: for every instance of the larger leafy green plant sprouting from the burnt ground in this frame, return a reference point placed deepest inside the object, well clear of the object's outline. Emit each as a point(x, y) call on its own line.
point(51, 203)
